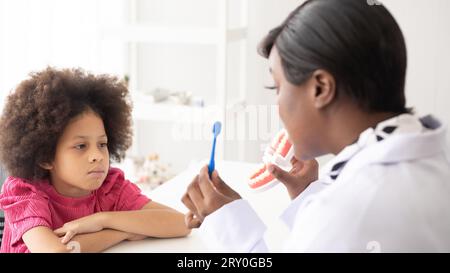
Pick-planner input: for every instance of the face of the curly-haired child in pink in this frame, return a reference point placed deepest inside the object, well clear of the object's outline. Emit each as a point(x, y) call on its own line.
point(82, 159)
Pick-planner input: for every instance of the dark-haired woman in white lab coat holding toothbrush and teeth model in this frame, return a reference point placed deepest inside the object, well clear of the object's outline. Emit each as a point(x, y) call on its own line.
point(339, 71)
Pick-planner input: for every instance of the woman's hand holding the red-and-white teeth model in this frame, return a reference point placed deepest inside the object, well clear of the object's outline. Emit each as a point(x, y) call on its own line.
point(299, 177)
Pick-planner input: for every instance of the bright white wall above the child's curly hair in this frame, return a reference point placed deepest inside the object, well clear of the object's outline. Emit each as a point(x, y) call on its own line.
point(60, 33)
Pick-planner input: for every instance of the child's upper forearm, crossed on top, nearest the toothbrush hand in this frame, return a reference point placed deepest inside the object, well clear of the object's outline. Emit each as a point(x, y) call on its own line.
point(161, 223)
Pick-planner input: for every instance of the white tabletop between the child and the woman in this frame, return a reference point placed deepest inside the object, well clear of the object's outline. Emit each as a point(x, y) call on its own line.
point(269, 205)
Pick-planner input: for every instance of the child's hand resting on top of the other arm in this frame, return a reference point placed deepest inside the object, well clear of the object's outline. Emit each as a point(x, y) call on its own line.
point(88, 224)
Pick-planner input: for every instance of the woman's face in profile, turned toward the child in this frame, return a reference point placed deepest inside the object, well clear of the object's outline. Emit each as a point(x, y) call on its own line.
point(297, 111)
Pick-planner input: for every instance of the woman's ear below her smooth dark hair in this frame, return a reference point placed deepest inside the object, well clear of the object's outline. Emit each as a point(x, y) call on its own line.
point(325, 88)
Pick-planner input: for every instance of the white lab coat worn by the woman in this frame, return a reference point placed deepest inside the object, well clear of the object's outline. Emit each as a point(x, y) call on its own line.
point(392, 196)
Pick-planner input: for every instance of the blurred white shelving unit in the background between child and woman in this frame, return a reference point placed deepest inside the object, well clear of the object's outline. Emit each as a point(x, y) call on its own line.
point(177, 46)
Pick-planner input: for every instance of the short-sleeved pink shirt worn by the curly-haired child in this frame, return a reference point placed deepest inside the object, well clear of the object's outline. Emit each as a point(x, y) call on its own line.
point(28, 205)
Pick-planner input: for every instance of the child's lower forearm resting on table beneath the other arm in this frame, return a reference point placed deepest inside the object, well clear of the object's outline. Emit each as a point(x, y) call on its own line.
point(96, 241)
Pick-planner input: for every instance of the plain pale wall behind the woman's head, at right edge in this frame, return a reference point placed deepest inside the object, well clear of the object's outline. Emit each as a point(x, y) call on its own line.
point(426, 27)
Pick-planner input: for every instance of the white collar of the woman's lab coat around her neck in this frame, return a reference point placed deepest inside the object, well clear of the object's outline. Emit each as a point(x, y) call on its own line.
point(412, 138)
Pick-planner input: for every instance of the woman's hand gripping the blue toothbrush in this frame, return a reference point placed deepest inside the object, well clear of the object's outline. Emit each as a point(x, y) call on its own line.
point(205, 195)
